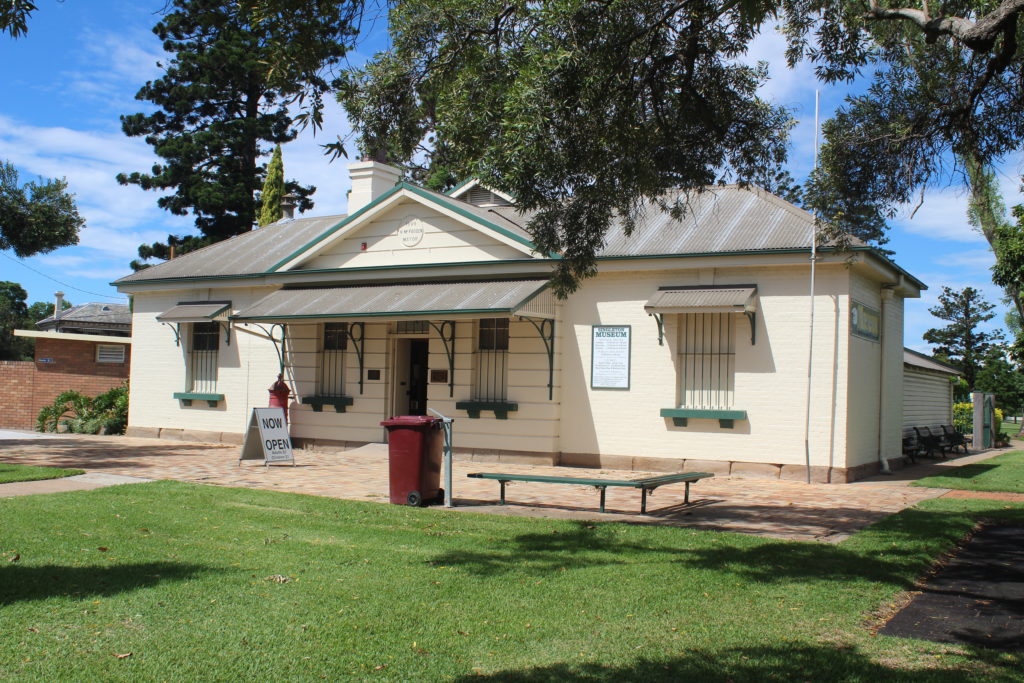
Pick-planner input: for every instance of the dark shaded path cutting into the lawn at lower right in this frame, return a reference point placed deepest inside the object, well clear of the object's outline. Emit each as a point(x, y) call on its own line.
point(976, 599)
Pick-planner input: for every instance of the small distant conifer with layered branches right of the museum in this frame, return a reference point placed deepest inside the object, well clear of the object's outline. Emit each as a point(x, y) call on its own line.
point(961, 343)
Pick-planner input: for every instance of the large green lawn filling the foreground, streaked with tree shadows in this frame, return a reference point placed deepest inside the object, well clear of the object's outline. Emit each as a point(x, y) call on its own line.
point(182, 578)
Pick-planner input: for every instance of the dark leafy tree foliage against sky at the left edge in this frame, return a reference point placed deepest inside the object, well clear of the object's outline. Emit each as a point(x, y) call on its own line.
point(36, 218)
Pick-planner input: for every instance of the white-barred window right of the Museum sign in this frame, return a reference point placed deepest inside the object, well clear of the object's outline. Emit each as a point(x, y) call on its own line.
point(707, 361)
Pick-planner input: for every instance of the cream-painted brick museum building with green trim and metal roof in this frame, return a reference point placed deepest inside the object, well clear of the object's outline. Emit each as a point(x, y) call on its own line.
point(690, 350)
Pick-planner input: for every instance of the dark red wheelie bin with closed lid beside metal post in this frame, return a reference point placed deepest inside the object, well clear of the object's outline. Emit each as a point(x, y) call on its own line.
point(414, 446)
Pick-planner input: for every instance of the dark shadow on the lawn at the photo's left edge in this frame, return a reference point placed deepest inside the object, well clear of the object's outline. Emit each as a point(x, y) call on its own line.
point(24, 583)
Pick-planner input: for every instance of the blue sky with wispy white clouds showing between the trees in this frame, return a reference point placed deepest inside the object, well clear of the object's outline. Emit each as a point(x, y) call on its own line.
point(68, 81)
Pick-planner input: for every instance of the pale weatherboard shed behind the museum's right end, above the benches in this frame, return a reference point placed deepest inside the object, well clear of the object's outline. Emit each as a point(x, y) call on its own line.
point(928, 392)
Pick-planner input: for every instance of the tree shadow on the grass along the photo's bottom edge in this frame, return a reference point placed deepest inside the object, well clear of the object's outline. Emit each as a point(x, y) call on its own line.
point(780, 663)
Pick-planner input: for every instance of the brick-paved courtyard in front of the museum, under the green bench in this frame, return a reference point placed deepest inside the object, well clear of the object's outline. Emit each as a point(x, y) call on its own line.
point(782, 509)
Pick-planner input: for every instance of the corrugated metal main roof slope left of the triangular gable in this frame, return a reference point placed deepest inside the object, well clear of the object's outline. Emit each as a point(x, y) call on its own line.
point(250, 253)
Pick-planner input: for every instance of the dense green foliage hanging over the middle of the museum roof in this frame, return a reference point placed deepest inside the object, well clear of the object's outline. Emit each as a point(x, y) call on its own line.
point(586, 113)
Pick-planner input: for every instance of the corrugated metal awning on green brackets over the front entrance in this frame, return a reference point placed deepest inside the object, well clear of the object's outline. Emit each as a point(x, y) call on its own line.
point(396, 301)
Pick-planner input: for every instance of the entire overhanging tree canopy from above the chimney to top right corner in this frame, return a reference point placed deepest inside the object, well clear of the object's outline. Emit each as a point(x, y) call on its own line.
point(587, 112)
